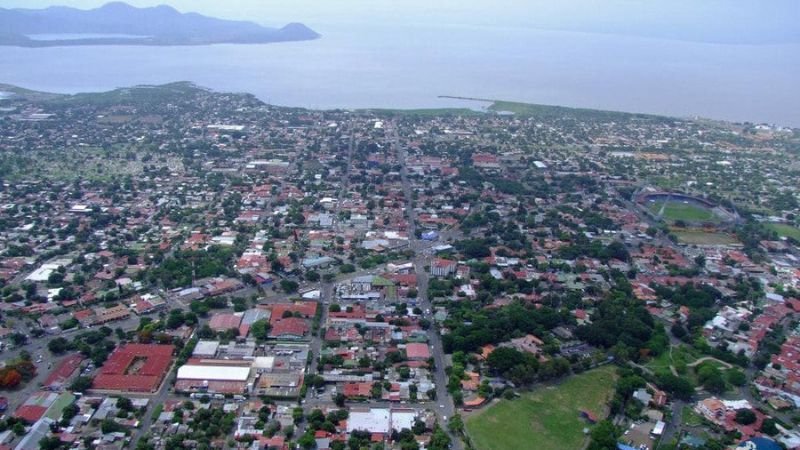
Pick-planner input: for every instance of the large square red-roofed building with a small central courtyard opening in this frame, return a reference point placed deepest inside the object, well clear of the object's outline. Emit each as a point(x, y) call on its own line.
point(135, 368)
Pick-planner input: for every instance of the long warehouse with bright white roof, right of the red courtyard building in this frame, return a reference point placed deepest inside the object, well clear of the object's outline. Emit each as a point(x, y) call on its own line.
point(217, 377)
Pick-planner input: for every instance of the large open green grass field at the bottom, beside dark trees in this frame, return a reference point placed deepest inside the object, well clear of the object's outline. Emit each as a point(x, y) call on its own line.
point(547, 418)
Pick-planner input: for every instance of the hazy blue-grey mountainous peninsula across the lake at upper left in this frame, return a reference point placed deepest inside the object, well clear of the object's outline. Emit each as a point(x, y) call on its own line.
point(118, 23)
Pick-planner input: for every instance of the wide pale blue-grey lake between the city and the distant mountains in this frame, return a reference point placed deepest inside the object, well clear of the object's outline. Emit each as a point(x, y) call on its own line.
point(408, 66)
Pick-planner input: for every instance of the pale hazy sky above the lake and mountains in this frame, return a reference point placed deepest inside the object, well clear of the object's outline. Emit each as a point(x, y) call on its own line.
point(728, 21)
